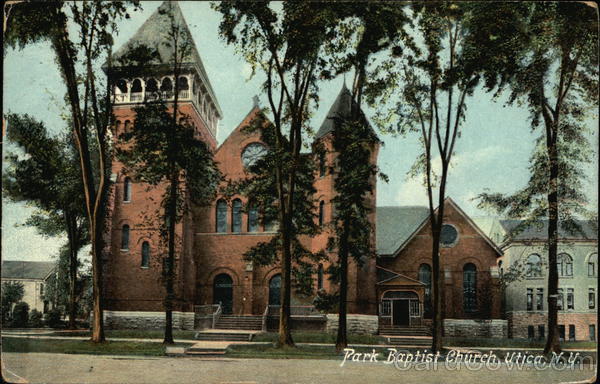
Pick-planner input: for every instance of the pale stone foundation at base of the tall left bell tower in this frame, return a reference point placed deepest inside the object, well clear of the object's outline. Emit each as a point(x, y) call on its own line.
point(146, 320)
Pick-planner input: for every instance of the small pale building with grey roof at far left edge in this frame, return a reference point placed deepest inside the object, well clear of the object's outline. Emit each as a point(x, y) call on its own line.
point(34, 276)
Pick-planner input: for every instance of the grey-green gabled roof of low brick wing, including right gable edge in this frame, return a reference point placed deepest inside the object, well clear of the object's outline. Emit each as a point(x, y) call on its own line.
point(403, 224)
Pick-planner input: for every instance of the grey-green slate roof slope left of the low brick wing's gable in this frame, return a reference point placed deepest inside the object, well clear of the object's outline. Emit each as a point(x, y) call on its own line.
point(395, 225)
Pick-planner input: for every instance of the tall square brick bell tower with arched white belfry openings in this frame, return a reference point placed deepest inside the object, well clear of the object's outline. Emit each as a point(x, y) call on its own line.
point(134, 289)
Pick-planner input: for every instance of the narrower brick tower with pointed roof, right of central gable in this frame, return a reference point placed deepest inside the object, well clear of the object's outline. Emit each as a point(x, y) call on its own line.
point(361, 280)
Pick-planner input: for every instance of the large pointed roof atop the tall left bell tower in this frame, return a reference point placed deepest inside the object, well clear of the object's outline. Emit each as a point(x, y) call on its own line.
point(154, 33)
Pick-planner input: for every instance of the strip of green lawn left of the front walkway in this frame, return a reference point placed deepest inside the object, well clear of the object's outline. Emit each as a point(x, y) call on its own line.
point(26, 345)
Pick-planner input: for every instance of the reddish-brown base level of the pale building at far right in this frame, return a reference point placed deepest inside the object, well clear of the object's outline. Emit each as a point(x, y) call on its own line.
point(519, 321)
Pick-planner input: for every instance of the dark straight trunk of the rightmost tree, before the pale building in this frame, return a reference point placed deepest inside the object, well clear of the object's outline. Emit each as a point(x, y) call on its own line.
point(552, 341)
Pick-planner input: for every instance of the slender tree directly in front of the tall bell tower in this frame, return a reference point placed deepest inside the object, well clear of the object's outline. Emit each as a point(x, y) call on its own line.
point(169, 156)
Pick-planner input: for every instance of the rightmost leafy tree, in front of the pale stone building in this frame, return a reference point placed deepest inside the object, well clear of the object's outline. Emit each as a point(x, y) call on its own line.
point(554, 51)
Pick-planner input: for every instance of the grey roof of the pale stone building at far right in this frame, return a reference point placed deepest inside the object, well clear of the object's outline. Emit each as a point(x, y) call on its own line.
point(534, 232)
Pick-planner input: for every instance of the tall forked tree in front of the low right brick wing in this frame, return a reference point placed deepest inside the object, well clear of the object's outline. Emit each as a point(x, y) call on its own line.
point(428, 78)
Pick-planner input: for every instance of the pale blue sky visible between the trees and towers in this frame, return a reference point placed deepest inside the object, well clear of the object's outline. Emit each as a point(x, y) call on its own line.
point(492, 153)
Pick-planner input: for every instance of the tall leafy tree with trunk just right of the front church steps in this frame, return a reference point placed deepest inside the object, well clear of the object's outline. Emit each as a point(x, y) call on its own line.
point(287, 46)
